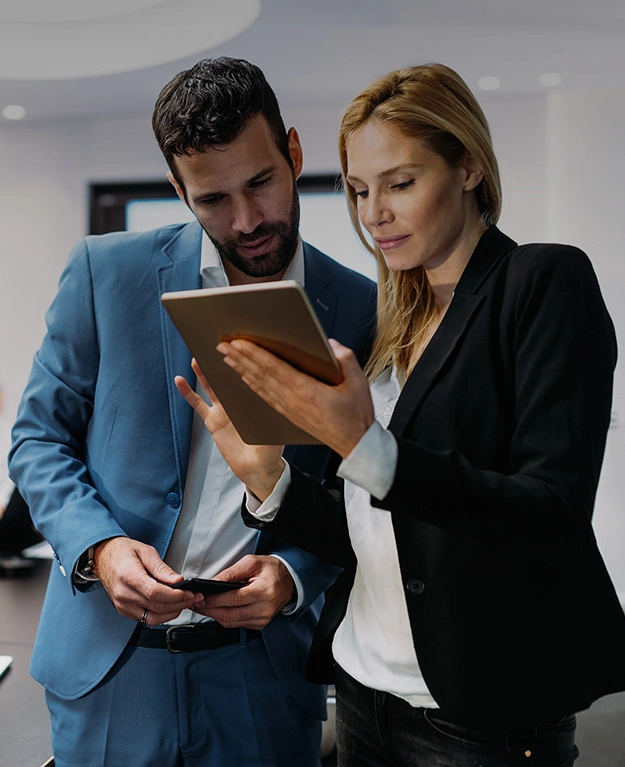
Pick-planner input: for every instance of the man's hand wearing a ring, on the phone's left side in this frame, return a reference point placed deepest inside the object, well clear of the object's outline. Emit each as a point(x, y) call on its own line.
point(130, 572)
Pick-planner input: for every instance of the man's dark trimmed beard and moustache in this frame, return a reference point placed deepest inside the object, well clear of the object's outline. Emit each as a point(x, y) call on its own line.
point(277, 259)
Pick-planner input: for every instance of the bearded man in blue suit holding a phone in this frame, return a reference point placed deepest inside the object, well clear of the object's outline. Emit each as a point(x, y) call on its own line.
point(131, 493)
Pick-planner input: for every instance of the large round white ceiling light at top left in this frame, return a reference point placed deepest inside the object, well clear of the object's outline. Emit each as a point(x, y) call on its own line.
point(90, 38)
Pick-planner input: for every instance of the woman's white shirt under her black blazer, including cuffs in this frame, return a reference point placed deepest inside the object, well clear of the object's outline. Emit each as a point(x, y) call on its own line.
point(374, 641)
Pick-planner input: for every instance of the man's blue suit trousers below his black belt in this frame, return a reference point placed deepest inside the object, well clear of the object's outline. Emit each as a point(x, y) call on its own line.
point(223, 707)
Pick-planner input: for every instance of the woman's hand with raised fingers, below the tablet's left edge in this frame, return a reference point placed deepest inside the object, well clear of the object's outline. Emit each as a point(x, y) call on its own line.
point(259, 467)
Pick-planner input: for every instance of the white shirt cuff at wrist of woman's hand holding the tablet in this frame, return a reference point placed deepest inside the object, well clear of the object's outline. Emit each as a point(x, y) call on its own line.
point(373, 462)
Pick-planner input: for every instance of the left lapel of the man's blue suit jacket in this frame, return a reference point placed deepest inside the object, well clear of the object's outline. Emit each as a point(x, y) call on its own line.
point(181, 272)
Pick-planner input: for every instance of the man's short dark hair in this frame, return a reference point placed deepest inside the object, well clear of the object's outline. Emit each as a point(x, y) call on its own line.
point(210, 105)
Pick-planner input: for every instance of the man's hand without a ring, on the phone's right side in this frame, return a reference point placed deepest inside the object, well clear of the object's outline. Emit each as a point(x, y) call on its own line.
point(270, 589)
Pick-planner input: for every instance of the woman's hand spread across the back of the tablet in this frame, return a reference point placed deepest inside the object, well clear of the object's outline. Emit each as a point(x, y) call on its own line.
point(337, 415)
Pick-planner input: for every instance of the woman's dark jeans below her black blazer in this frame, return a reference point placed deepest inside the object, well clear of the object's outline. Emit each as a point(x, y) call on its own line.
point(377, 729)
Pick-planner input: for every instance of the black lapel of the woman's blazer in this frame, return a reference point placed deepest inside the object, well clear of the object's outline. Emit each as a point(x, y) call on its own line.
point(465, 304)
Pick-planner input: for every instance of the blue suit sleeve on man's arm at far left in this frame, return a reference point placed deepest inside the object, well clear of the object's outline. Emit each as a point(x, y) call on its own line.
point(47, 460)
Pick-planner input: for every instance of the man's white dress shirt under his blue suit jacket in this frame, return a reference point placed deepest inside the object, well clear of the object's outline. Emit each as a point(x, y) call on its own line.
point(210, 534)
